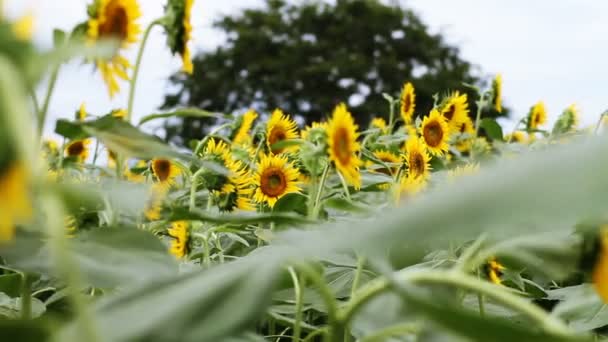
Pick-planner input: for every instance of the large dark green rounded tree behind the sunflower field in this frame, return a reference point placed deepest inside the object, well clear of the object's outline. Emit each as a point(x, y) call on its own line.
point(306, 58)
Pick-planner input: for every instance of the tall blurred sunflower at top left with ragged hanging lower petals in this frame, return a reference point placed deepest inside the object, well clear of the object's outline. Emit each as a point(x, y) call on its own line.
point(114, 19)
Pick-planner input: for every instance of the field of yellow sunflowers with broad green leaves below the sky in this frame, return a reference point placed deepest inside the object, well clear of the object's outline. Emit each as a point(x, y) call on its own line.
point(424, 226)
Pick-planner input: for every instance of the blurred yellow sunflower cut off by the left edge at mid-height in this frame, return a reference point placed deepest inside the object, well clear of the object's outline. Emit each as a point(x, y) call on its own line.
point(15, 204)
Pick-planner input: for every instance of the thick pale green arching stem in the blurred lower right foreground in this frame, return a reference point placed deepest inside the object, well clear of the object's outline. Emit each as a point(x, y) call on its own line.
point(433, 277)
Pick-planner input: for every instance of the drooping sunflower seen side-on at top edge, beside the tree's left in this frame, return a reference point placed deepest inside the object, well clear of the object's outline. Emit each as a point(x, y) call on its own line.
point(179, 30)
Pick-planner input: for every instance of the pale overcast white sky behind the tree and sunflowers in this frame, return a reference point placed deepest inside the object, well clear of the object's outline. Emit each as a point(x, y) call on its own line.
point(553, 51)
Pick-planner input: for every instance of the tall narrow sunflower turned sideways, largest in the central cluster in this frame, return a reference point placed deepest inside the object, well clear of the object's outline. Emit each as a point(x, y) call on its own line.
point(343, 146)
